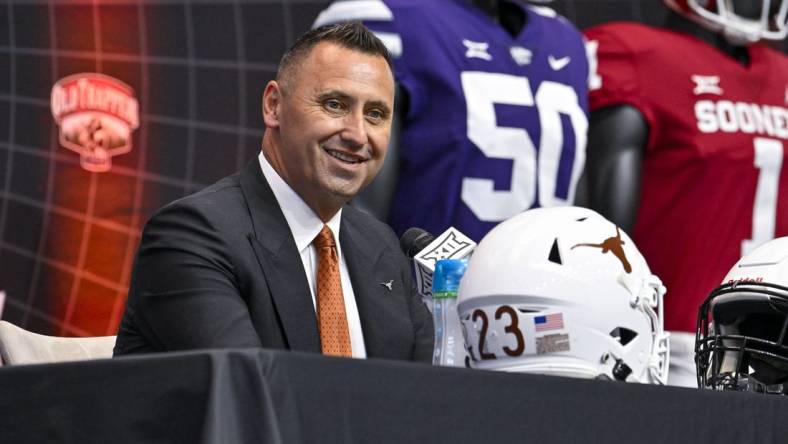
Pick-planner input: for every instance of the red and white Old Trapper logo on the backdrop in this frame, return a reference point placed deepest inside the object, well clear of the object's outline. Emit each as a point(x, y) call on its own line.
point(96, 115)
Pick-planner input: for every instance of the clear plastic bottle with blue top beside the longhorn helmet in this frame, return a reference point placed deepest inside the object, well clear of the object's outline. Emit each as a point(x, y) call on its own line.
point(449, 342)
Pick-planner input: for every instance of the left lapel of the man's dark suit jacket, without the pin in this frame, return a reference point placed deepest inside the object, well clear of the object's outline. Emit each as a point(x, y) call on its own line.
point(280, 262)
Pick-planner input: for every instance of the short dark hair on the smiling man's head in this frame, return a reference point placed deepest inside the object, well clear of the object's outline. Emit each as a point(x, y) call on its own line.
point(349, 35)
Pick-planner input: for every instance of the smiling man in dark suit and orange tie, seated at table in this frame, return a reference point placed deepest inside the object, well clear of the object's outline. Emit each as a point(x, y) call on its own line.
point(271, 256)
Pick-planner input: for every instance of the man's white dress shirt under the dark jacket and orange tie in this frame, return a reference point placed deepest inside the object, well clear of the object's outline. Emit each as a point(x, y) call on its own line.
point(305, 226)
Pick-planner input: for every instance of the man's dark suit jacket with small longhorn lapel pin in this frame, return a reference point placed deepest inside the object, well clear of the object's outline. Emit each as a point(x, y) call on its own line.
point(220, 268)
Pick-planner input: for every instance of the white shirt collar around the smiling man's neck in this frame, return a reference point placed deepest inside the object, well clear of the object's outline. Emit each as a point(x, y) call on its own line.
point(303, 222)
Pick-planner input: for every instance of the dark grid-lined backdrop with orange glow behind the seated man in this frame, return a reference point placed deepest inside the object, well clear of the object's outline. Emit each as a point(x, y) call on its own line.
point(198, 68)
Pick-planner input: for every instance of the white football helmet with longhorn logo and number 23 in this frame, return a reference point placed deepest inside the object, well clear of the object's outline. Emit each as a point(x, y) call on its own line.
point(563, 291)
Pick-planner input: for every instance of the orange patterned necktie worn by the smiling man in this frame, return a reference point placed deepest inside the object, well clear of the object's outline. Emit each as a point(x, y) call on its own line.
point(331, 318)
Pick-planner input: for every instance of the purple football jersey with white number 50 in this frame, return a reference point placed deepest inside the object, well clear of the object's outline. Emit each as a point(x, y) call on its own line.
point(495, 124)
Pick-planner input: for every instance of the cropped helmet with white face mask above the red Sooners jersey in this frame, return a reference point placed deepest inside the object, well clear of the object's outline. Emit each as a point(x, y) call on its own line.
point(740, 22)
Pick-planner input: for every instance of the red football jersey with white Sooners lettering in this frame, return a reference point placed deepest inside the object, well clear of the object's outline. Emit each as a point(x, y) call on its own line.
point(714, 179)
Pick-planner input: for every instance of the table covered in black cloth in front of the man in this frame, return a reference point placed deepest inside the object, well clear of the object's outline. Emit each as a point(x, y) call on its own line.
point(261, 396)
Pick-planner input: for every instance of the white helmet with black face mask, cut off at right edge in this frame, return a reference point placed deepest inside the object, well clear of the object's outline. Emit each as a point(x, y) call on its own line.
point(742, 335)
